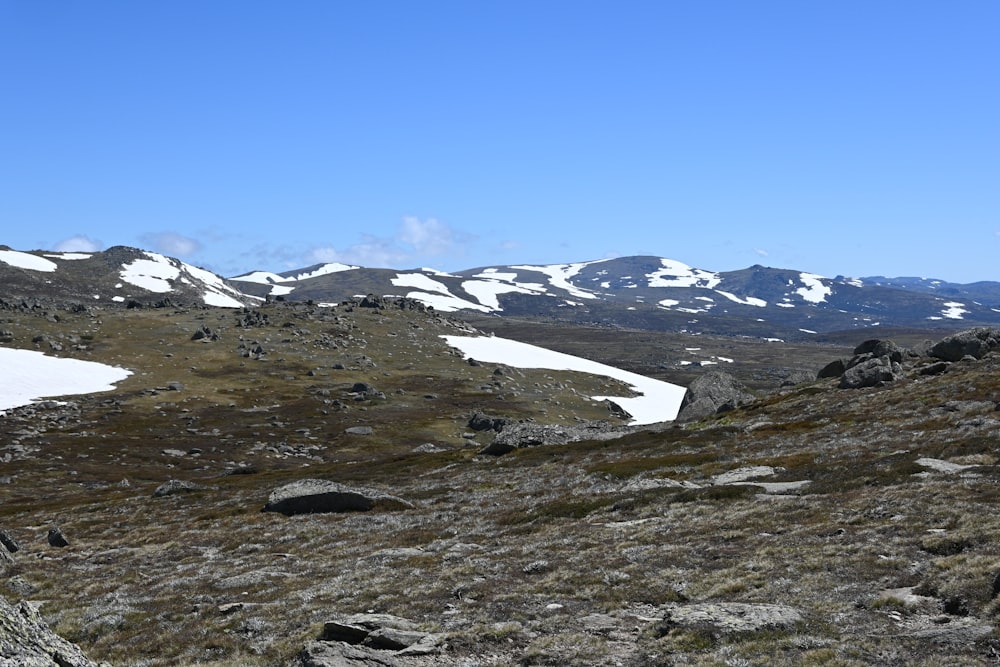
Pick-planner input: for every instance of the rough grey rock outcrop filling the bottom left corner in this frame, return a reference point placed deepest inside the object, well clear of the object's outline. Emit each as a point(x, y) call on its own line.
point(26, 641)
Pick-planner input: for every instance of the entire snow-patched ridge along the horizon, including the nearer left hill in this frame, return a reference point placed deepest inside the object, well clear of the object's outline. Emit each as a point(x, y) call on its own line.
point(644, 292)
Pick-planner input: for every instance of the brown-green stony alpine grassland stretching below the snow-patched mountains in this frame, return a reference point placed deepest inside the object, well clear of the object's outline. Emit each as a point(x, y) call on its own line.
point(815, 525)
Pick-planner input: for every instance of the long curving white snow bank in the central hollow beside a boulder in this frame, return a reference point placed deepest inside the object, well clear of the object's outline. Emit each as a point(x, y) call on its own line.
point(659, 401)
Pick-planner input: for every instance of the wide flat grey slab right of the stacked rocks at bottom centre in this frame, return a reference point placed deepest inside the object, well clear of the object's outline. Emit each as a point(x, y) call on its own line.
point(731, 617)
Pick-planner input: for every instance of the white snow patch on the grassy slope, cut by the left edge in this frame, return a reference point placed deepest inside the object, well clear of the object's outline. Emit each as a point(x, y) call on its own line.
point(30, 375)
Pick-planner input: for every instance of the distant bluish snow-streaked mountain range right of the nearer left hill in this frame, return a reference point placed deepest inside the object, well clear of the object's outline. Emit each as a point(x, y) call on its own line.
point(654, 292)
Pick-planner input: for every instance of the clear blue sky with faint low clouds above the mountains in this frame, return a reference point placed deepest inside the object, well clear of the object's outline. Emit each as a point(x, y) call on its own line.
point(851, 137)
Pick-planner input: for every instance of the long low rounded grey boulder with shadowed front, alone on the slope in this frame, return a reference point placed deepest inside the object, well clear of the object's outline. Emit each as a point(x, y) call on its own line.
point(310, 496)
